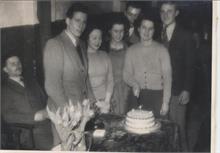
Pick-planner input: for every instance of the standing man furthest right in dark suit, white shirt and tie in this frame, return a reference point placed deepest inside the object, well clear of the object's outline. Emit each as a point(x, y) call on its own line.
point(181, 48)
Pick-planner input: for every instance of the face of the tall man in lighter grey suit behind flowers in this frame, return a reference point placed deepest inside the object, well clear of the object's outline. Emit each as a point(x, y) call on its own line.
point(76, 25)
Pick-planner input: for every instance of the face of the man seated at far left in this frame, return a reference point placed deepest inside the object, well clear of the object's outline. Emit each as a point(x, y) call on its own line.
point(13, 67)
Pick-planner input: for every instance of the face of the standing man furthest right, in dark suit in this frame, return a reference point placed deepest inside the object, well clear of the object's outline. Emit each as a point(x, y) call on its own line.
point(168, 13)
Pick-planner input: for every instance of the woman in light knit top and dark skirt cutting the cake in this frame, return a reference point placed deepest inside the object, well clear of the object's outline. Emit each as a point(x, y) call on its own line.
point(147, 71)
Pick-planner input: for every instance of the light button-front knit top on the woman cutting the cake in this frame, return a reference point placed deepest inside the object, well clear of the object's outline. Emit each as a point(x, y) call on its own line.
point(148, 67)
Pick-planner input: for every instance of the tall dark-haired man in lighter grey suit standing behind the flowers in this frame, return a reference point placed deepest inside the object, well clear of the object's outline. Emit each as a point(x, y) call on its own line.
point(66, 65)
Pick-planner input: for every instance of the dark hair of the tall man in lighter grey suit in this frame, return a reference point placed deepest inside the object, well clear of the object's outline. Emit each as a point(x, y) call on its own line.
point(76, 7)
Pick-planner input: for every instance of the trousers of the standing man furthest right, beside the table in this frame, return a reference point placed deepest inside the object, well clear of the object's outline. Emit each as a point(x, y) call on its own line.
point(177, 114)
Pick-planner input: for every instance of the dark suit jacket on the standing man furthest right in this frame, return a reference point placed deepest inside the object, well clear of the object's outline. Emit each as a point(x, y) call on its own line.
point(182, 55)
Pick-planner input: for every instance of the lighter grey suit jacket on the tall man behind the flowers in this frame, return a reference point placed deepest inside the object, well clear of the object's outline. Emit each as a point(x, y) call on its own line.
point(65, 75)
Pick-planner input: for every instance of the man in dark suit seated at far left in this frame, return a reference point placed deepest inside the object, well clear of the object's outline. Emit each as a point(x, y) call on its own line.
point(23, 102)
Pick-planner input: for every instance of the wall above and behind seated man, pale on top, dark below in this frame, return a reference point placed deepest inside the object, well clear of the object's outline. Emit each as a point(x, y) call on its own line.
point(25, 33)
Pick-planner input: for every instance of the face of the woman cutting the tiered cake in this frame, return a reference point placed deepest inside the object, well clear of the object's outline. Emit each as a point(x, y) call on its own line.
point(146, 30)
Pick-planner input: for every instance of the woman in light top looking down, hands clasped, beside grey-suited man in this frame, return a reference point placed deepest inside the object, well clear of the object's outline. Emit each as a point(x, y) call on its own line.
point(100, 70)
